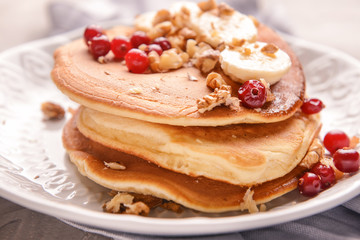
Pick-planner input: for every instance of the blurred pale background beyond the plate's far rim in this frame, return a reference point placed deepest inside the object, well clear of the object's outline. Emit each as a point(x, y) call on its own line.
point(329, 22)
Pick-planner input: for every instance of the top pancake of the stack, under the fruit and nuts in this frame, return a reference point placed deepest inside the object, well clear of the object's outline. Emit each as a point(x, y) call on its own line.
point(170, 97)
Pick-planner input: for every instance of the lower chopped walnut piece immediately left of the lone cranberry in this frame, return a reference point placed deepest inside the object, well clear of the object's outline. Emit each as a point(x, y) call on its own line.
point(216, 98)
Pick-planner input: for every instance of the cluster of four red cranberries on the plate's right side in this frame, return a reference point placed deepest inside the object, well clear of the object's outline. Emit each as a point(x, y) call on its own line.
point(321, 176)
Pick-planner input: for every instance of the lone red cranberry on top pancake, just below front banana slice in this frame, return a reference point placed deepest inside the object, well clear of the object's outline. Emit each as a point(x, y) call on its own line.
point(252, 94)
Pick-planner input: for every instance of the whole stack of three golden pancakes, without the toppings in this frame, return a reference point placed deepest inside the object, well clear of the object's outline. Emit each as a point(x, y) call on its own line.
point(149, 125)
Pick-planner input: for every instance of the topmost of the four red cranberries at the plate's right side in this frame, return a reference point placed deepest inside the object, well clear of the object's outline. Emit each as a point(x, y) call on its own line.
point(336, 139)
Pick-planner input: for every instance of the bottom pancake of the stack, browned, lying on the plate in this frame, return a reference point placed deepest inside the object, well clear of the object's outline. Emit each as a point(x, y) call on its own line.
point(141, 176)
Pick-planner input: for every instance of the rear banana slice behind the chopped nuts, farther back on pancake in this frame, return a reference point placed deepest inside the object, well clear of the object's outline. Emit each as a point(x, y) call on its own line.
point(224, 29)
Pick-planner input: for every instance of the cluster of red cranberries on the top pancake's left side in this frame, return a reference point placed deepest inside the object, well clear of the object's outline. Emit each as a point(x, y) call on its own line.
point(124, 48)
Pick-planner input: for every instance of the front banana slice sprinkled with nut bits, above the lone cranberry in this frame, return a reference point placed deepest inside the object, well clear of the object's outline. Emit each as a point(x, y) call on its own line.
point(254, 61)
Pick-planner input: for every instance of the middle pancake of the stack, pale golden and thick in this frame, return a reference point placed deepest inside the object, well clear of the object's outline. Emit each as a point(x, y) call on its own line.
point(243, 154)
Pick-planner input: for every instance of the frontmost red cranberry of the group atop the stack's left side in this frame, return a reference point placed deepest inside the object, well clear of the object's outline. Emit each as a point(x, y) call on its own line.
point(136, 60)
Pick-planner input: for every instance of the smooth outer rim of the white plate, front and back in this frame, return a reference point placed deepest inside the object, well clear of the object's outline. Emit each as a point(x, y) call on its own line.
point(193, 225)
